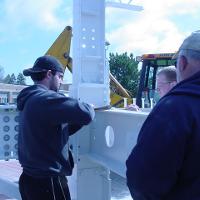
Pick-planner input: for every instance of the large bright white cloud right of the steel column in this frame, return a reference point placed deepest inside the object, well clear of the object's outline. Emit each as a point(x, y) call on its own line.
point(152, 30)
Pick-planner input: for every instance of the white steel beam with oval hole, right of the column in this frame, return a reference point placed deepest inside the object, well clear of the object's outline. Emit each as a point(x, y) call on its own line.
point(111, 148)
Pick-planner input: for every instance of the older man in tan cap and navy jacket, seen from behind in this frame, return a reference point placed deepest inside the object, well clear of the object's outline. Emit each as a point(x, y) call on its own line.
point(165, 163)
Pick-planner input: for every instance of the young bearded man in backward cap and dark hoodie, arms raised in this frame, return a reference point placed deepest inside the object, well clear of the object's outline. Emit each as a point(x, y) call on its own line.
point(47, 119)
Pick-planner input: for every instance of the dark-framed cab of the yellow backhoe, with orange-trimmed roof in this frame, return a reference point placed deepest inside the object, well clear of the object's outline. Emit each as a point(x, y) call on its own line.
point(150, 65)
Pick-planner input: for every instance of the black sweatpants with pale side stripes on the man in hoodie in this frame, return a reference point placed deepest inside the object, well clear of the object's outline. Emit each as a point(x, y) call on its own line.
point(51, 188)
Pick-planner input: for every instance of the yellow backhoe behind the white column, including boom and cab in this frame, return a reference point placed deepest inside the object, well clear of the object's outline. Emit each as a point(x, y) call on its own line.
point(150, 65)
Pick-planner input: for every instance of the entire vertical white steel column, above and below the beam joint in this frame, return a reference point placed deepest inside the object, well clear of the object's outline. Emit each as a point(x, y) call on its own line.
point(90, 84)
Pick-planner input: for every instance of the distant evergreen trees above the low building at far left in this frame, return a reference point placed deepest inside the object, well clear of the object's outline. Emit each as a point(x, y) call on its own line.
point(12, 78)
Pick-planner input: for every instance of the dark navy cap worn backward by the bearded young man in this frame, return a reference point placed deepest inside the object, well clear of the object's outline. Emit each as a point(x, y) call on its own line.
point(43, 64)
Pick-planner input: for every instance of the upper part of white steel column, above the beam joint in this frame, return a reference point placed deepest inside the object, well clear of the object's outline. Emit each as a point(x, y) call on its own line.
point(90, 74)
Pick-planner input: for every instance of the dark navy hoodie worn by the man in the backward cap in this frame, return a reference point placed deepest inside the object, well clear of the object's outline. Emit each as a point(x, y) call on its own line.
point(42, 141)
